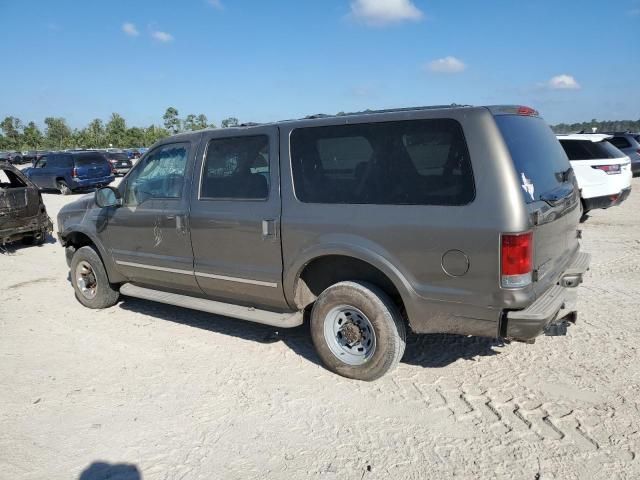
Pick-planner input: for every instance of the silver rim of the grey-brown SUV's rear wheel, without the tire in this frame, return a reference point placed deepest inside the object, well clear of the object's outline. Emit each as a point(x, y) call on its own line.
point(349, 335)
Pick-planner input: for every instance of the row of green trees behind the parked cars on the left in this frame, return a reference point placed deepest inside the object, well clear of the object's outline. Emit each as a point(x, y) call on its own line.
point(57, 135)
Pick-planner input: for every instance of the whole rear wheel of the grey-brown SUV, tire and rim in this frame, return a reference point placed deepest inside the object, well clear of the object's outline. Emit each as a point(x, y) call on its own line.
point(357, 330)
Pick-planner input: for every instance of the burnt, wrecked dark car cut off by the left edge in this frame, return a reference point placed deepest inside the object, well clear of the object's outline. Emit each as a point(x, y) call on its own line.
point(23, 215)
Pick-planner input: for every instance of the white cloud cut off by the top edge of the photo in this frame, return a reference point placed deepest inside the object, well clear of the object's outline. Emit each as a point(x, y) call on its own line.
point(384, 12)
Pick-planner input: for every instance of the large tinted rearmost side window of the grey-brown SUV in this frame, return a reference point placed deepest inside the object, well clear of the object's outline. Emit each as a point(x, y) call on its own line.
point(418, 162)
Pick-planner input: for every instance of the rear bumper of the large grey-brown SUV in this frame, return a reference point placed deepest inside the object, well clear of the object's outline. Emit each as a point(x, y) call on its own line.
point(556, 304)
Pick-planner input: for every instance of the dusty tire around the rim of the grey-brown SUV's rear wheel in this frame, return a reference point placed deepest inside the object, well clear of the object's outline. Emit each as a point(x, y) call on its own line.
point(383, 315)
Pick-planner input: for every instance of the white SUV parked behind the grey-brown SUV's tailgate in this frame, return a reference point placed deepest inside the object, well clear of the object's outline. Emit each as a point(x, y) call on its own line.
point(603, 172)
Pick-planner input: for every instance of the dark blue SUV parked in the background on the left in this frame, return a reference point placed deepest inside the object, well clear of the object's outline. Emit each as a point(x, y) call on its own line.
point(71, 171)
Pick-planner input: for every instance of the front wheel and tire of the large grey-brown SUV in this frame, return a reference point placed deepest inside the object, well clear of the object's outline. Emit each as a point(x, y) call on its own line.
point(90, 281)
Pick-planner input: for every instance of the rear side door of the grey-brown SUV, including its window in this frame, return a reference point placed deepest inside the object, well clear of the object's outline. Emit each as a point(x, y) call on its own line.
point(235, 218)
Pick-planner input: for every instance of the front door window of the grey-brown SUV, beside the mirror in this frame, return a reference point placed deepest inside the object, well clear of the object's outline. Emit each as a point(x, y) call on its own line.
point(159, 175)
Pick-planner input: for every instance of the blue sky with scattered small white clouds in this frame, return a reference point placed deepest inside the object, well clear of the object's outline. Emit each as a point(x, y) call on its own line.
point(267, 60)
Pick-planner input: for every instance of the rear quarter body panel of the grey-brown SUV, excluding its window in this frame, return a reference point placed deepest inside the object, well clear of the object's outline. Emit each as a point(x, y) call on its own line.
point(408, 242)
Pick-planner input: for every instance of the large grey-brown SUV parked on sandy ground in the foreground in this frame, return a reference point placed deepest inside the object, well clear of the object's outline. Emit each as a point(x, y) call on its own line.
point(460, 220)
